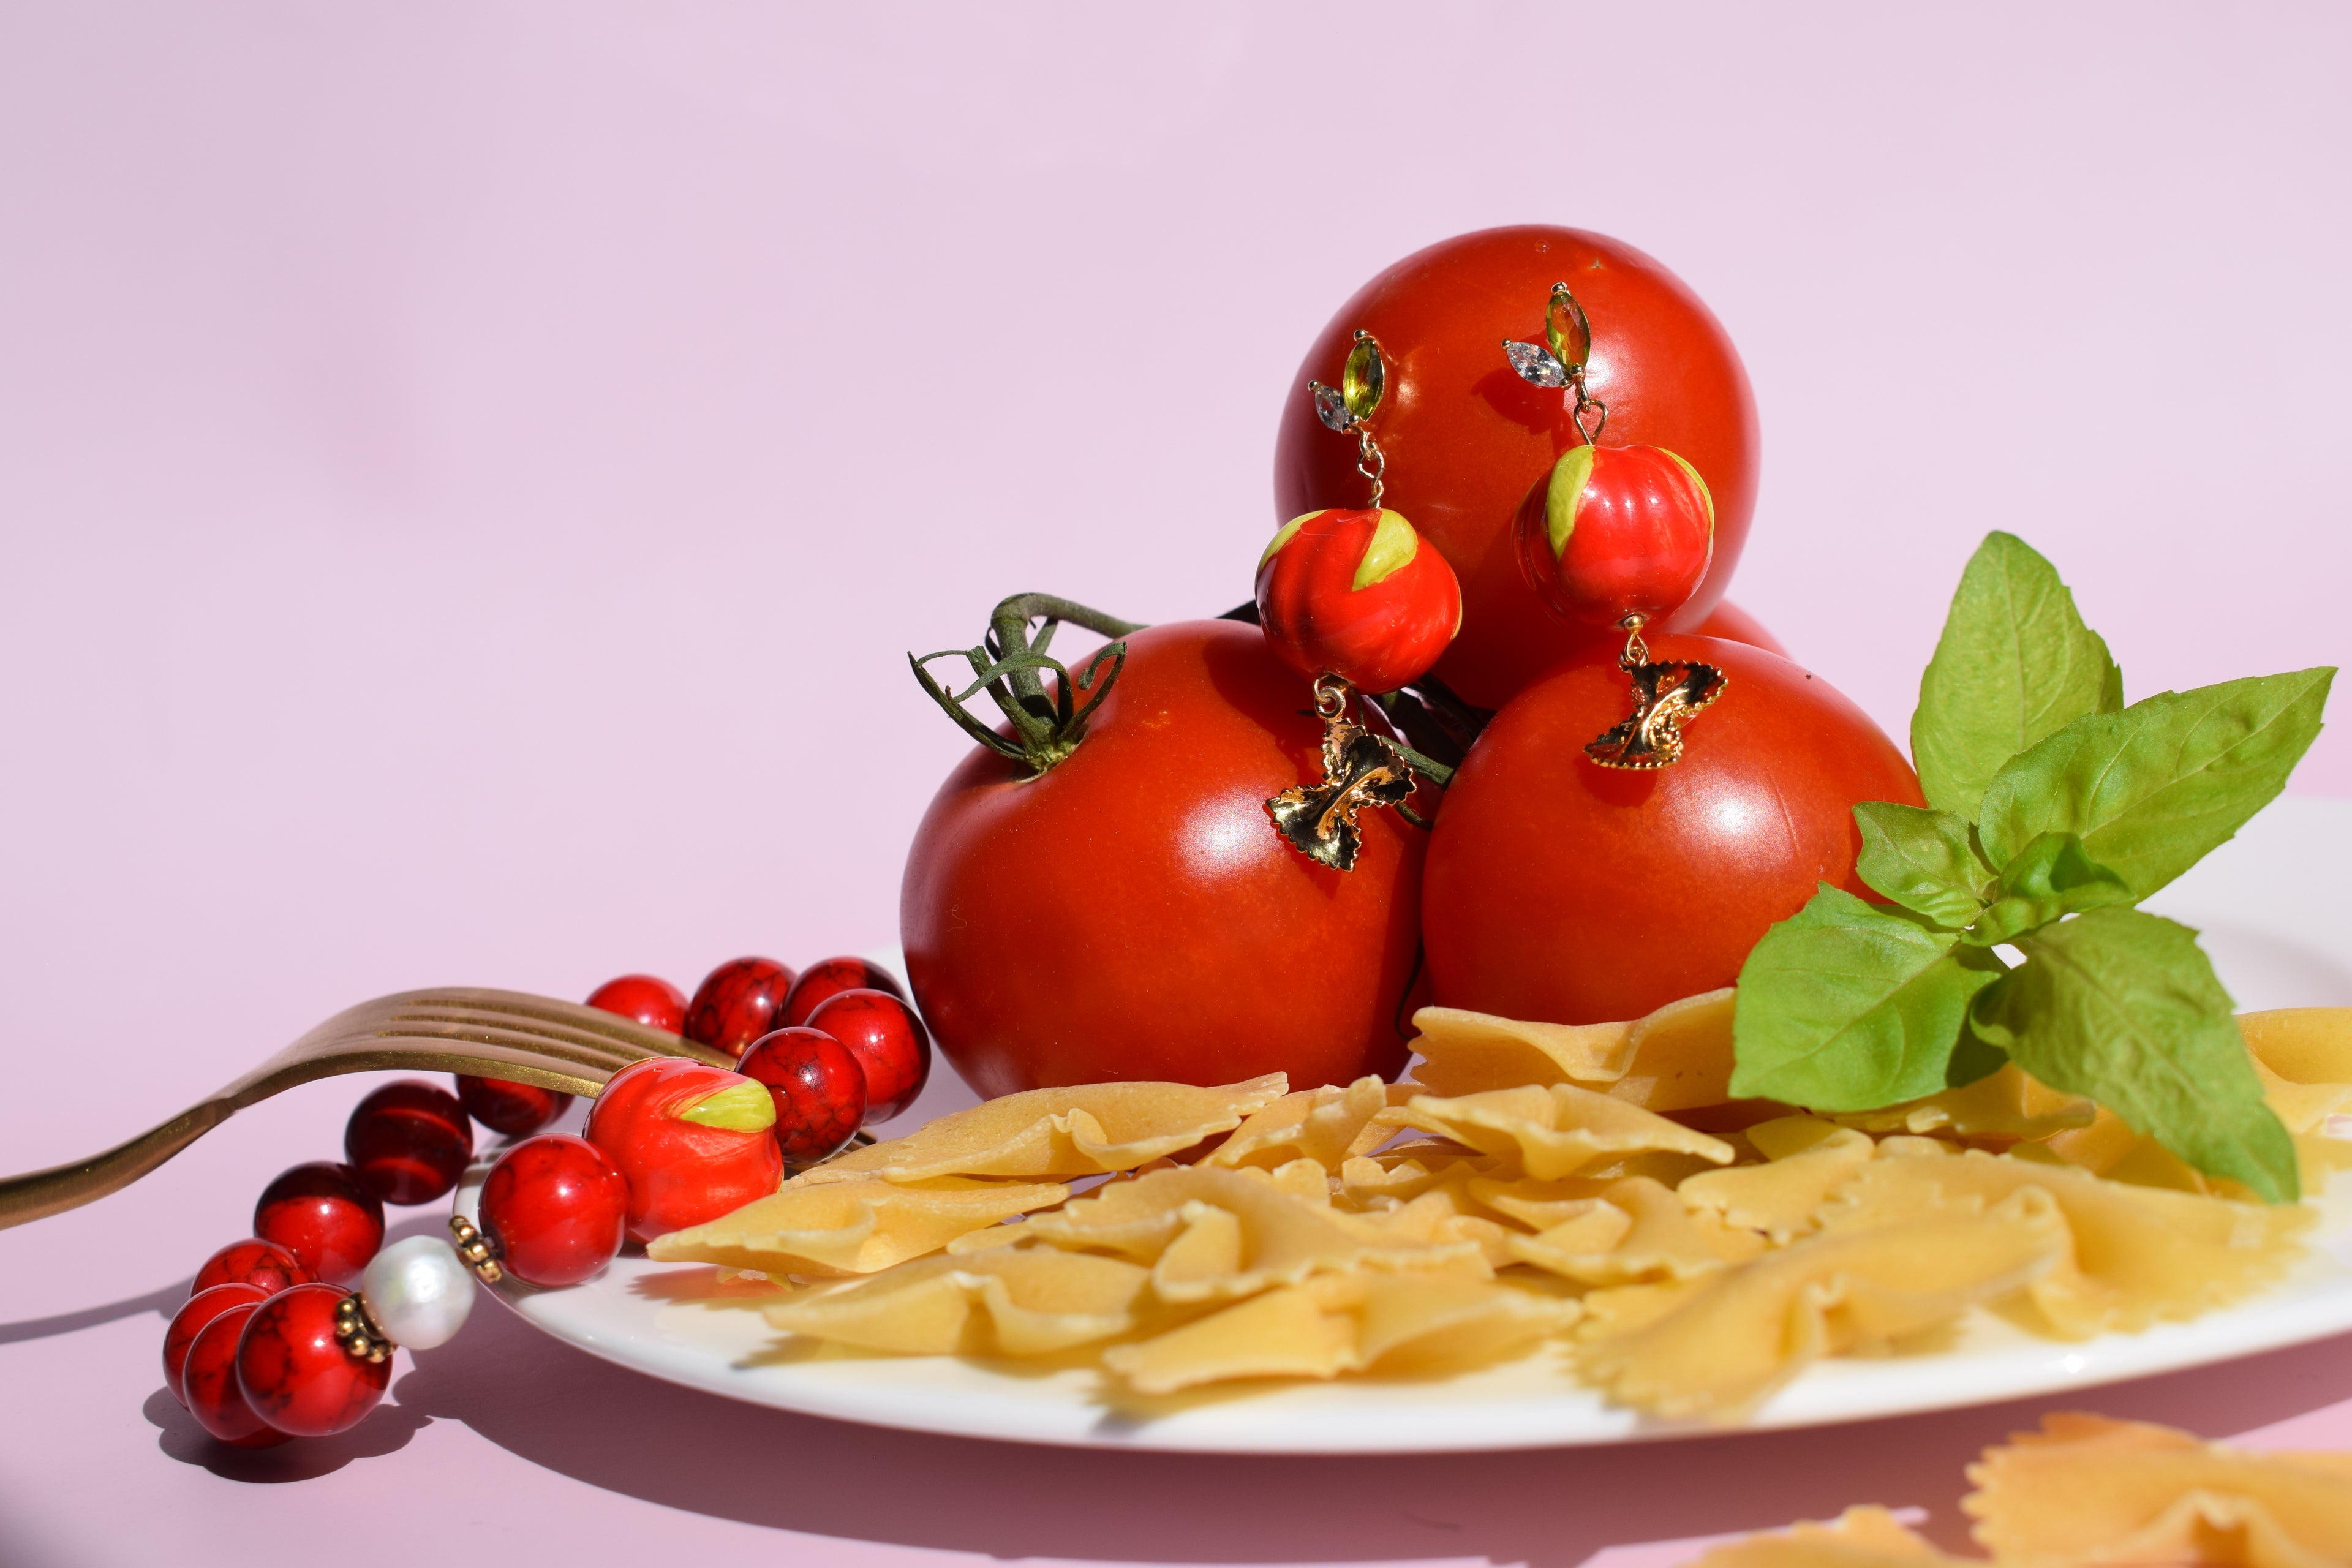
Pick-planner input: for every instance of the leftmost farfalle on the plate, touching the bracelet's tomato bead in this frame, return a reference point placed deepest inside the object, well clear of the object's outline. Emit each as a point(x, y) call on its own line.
point(853, 1228)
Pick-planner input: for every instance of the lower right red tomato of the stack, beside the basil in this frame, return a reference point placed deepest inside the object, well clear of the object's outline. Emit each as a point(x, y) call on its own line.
point(1568, 892)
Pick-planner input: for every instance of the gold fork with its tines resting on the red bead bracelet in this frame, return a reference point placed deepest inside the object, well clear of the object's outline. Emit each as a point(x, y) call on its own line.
point(500, 1036)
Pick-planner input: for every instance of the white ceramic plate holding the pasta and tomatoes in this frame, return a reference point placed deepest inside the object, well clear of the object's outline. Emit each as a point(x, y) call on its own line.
point(2273, 951)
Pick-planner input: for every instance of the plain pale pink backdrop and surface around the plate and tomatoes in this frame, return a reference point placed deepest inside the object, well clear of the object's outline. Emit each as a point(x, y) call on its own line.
point(472, 476)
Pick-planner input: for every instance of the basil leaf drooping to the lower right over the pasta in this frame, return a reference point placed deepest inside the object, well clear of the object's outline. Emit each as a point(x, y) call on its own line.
point(2125, 1007)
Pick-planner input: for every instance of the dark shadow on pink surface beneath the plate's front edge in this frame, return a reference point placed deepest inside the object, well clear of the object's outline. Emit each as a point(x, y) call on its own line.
point(573, 1414)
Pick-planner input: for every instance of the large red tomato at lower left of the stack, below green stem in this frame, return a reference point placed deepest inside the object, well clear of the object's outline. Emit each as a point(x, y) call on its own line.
point(1135, 916)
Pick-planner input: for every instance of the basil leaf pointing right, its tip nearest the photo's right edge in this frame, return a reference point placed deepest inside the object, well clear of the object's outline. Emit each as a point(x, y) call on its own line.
point(2156, 786)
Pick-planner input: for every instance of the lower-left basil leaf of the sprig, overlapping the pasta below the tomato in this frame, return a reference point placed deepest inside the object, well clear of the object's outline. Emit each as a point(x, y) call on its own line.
point(1852, 1005)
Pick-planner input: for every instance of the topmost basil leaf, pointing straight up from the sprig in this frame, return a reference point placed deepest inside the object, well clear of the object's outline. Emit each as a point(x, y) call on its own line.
point(2014, 664)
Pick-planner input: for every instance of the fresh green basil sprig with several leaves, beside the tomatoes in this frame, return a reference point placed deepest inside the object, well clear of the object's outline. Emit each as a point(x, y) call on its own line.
point(2052, 810)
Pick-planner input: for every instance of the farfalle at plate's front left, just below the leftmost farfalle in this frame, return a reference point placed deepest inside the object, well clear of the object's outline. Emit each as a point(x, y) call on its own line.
point(1013, 1301)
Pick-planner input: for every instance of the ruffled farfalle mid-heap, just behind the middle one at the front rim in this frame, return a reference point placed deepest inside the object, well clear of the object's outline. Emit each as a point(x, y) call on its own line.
point(1220, 1235)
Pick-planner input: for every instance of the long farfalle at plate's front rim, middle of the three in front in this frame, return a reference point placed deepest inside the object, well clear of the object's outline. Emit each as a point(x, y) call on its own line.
point(1344, 1325)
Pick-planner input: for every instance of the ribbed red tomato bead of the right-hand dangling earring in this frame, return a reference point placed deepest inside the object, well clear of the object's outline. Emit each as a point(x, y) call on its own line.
point(1617, 532)
